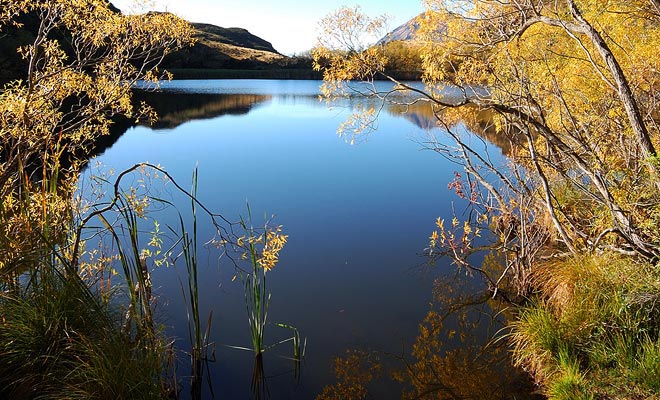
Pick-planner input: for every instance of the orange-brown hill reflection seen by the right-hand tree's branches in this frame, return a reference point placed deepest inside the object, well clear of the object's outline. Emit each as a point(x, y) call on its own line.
point(477, 121)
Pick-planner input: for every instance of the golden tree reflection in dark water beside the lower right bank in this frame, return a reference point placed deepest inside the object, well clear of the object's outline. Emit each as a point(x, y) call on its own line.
point(454, 355)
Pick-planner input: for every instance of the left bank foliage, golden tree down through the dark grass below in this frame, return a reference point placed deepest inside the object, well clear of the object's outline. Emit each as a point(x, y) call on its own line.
point(61, 336)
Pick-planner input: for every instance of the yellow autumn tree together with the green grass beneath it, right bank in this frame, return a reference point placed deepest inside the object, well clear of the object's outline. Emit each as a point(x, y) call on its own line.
point(572, 85)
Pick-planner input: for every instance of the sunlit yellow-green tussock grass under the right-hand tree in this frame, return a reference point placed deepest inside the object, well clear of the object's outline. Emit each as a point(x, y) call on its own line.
point(593, 328)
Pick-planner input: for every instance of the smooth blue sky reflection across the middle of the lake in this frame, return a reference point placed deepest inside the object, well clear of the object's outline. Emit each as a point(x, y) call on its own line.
point(357, 218)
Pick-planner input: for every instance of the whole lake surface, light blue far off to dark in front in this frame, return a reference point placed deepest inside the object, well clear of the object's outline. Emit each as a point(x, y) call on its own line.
point(358, 218)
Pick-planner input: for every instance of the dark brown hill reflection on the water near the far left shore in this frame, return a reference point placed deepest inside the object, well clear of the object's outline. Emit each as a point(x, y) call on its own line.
point(174, 108)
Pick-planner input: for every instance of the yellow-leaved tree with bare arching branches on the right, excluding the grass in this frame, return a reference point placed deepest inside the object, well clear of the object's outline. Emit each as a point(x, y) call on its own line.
point(576, 80)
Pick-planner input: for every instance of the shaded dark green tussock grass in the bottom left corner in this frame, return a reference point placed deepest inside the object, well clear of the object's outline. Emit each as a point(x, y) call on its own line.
point(59, 341)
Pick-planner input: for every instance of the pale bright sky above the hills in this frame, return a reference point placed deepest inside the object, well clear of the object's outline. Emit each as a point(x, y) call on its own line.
point(290, 25)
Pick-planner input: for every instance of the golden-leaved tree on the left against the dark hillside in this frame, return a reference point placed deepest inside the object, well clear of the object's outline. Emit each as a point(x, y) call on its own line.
point(82, 62)
